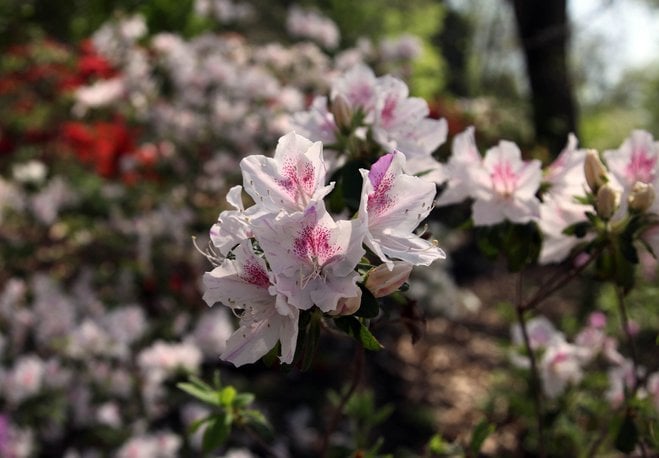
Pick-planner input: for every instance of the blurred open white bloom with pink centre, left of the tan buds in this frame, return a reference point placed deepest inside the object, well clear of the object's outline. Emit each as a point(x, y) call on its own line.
point(505, 187)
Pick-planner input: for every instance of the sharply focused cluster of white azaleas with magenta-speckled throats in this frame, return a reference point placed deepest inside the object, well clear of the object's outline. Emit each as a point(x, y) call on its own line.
point(287, 254)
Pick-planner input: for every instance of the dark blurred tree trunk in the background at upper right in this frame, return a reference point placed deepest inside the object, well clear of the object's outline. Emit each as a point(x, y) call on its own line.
point(543, 30)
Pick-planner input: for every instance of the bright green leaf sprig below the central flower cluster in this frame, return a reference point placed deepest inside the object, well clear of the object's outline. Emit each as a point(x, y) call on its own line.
point(230, 408)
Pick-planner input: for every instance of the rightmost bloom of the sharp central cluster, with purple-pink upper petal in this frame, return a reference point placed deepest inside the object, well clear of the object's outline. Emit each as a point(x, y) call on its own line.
point(392, 206)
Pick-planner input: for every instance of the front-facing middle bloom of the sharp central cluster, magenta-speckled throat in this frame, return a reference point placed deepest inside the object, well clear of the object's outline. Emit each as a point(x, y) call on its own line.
point(312, 256)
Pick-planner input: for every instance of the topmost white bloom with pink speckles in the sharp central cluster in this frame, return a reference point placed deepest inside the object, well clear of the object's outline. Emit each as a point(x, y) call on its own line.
point(290, 180)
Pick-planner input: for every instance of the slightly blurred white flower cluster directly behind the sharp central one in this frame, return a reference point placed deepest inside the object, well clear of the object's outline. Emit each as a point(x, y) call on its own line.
point(363, 107)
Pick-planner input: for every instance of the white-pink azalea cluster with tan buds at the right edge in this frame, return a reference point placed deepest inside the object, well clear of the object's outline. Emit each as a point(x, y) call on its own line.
point(573, 190)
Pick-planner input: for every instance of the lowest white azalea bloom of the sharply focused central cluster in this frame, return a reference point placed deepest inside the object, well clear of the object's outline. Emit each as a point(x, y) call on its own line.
point(245, 285)
